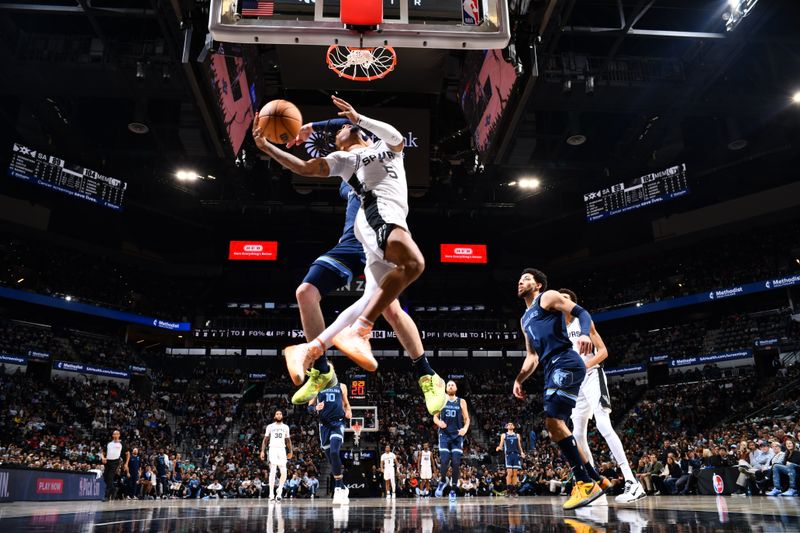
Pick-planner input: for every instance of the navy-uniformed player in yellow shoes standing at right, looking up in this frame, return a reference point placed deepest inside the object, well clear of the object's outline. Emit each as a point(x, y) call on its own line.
point(547, 342)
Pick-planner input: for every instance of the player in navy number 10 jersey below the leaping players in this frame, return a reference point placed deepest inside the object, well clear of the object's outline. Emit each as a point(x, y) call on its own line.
point(332, 406)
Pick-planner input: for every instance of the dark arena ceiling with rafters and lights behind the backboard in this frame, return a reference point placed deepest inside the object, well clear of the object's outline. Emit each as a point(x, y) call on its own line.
point(670, 84)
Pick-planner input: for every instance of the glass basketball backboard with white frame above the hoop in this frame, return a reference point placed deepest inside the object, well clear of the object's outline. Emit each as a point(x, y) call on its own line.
point(445, 24)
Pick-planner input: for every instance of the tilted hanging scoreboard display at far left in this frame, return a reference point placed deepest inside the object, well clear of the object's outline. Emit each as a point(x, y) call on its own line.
point(49, 171)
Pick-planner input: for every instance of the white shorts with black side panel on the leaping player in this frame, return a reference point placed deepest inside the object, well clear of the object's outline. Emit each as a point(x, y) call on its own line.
point(372, 228)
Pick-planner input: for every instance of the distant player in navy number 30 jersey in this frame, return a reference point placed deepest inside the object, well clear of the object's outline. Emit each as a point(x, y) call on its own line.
point(453, 423)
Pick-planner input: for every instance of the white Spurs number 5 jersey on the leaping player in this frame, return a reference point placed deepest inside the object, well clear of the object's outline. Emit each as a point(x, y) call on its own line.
point(380, 178)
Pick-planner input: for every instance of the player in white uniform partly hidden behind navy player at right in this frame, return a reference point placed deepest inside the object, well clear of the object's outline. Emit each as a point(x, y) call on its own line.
point(595, 402)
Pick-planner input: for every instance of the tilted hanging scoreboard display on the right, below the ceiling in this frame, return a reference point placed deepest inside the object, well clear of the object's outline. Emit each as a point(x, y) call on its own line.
point(643, 191)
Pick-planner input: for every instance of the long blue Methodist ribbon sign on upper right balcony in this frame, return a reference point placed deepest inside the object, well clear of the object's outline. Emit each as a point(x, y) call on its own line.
point(703, 297)
